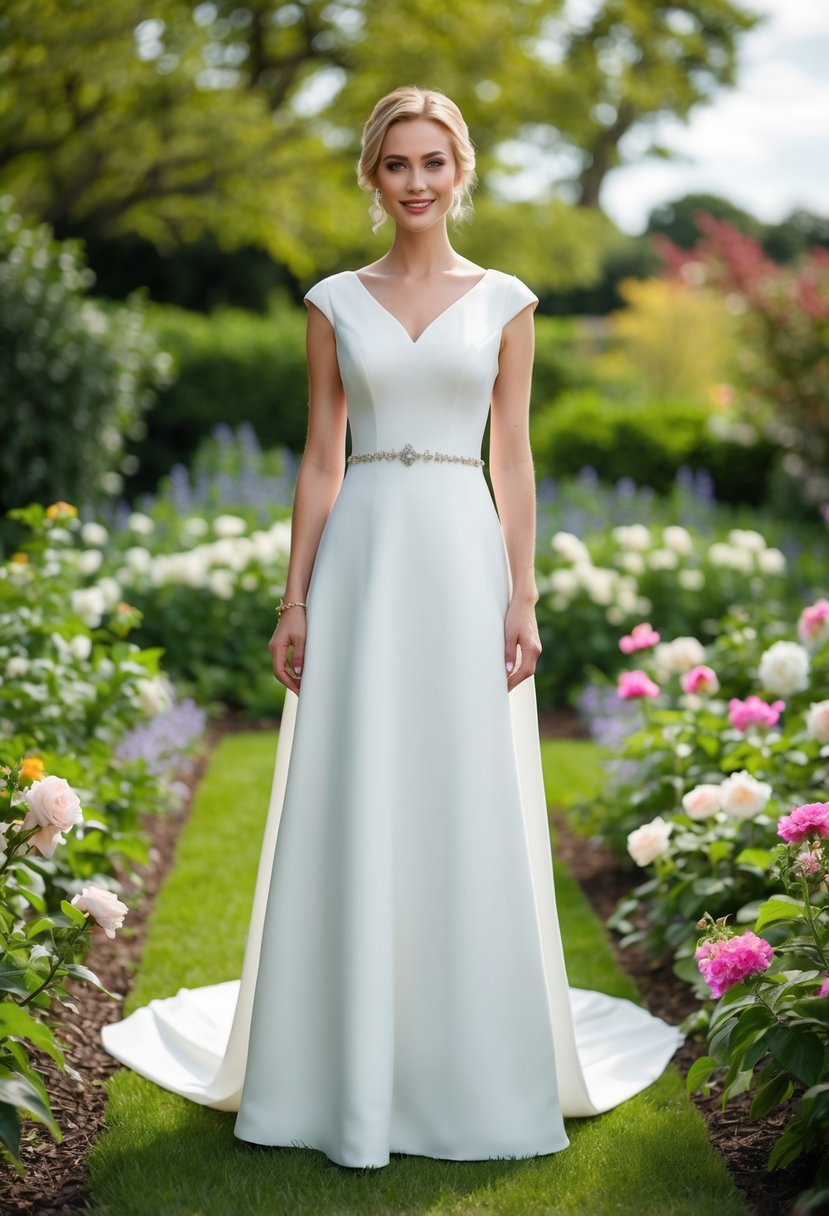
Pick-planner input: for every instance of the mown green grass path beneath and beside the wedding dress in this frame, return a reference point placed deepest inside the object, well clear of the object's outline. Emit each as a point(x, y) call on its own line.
point(162, 1156)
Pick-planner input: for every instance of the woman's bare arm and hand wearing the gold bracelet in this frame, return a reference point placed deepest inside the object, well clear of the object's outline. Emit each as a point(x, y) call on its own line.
point(318, 486)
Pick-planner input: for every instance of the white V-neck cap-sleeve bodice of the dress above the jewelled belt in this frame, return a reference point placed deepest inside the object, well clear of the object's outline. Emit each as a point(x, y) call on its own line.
point(433, 393)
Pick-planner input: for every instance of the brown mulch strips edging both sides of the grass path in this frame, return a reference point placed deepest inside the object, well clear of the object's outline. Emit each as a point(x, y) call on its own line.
point(55, 1183)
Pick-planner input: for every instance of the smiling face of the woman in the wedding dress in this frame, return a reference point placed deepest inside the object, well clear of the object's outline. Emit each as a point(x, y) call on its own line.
point(418, 173)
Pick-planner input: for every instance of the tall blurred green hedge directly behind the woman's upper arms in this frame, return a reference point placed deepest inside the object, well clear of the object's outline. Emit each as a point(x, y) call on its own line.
point(235, 367)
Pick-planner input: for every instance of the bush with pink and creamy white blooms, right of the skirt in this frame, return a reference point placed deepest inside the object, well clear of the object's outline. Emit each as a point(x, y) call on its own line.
point(707, 768)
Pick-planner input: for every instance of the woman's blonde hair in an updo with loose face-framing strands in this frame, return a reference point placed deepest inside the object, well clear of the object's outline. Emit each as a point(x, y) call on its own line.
point(403, 106)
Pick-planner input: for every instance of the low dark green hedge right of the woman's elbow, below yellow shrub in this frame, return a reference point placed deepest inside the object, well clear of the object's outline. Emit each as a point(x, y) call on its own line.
point(647, 443)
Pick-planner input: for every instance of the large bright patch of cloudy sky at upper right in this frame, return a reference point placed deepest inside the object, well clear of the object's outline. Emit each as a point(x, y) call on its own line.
point(764, 145)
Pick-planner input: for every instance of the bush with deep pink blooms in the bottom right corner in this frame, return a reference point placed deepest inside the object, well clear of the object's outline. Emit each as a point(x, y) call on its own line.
point(770, 1029)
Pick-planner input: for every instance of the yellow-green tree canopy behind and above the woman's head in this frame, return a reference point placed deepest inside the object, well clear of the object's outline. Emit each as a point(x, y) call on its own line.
point(241, 119)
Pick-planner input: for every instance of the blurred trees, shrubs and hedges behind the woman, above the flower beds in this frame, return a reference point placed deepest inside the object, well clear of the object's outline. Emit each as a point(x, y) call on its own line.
point(193, 166)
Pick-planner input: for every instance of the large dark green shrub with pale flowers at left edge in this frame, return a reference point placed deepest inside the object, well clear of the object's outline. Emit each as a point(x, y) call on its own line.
point(75, 378)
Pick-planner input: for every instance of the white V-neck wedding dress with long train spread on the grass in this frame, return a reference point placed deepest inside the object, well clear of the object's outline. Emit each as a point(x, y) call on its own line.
point(404, 987)
